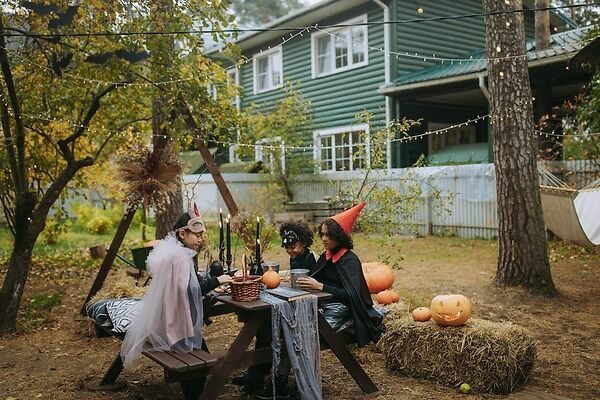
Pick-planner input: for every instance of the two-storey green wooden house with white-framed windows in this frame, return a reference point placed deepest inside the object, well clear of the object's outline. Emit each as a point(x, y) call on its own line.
point(394, 70)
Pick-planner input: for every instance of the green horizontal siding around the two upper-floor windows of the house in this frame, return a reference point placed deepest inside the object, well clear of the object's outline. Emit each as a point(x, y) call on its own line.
point(335, 98)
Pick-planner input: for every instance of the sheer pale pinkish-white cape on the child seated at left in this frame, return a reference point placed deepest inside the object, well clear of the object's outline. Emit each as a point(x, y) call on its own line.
point(169, 316)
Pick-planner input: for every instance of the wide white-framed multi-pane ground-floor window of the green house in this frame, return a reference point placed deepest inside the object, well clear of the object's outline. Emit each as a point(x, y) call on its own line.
point(342, 149)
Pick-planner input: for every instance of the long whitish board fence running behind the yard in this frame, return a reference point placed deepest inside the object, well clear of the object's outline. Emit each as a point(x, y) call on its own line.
point(471, 189)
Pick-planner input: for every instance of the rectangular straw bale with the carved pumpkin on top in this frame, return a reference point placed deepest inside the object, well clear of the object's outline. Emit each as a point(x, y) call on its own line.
point(490, 357)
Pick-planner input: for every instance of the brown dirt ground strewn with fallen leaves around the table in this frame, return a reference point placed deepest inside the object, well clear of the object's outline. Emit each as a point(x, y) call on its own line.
point(53, 359)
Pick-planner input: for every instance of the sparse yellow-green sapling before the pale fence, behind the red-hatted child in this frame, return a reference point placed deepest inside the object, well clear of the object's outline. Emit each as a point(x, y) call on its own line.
point(393, 197)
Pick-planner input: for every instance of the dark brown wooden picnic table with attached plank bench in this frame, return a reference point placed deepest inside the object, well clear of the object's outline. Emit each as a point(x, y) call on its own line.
point(200, 368)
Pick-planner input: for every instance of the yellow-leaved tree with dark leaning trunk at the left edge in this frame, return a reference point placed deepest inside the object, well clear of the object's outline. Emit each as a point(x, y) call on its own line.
point(68, 100)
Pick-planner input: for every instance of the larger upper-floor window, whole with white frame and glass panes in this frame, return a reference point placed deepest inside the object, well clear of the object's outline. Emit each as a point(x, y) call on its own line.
point(339, 50)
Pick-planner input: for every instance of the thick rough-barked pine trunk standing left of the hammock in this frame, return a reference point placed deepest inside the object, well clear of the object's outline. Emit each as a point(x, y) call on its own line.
point(523, 257)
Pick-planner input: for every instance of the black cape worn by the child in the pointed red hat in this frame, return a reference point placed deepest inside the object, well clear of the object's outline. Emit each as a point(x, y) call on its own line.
point(368, 323)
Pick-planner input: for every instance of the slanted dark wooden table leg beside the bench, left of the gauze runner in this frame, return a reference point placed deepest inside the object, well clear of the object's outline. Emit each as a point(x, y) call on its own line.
point(223, 370)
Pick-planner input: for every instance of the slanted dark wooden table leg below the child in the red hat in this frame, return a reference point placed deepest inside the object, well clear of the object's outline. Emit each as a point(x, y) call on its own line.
point(336, 344)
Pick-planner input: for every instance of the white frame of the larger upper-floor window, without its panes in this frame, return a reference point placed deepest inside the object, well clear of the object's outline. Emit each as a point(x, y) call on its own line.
point(316, 35)
